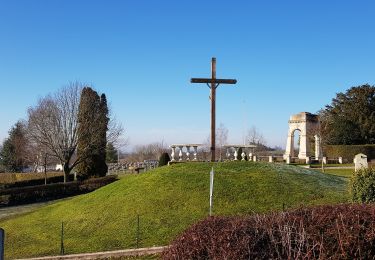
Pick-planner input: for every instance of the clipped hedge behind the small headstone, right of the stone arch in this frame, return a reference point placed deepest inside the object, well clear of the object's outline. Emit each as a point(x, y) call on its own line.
point(349, 151)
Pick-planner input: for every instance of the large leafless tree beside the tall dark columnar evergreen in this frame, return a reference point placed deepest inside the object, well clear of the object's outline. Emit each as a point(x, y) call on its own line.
point(53, 124)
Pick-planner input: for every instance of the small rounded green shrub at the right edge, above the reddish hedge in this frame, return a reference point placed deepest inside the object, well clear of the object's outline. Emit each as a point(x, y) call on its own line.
point(362, 185)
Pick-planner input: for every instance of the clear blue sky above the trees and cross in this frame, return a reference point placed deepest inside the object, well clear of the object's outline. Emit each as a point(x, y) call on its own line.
point(288, 57)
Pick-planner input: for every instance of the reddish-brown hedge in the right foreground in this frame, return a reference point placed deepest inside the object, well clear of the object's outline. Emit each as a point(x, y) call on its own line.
point(326, 232)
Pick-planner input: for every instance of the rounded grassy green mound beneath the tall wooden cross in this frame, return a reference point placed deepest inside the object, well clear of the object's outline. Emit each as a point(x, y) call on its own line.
point(168, 200)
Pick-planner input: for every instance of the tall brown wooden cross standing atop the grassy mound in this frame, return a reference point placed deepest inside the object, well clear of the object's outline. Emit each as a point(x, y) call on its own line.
point(213, 83)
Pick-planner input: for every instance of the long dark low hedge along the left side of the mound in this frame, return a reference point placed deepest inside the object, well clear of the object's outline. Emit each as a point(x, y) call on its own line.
point(24, 195)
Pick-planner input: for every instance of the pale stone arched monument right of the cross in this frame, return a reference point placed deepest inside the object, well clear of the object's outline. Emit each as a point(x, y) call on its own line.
point(308, 124)
